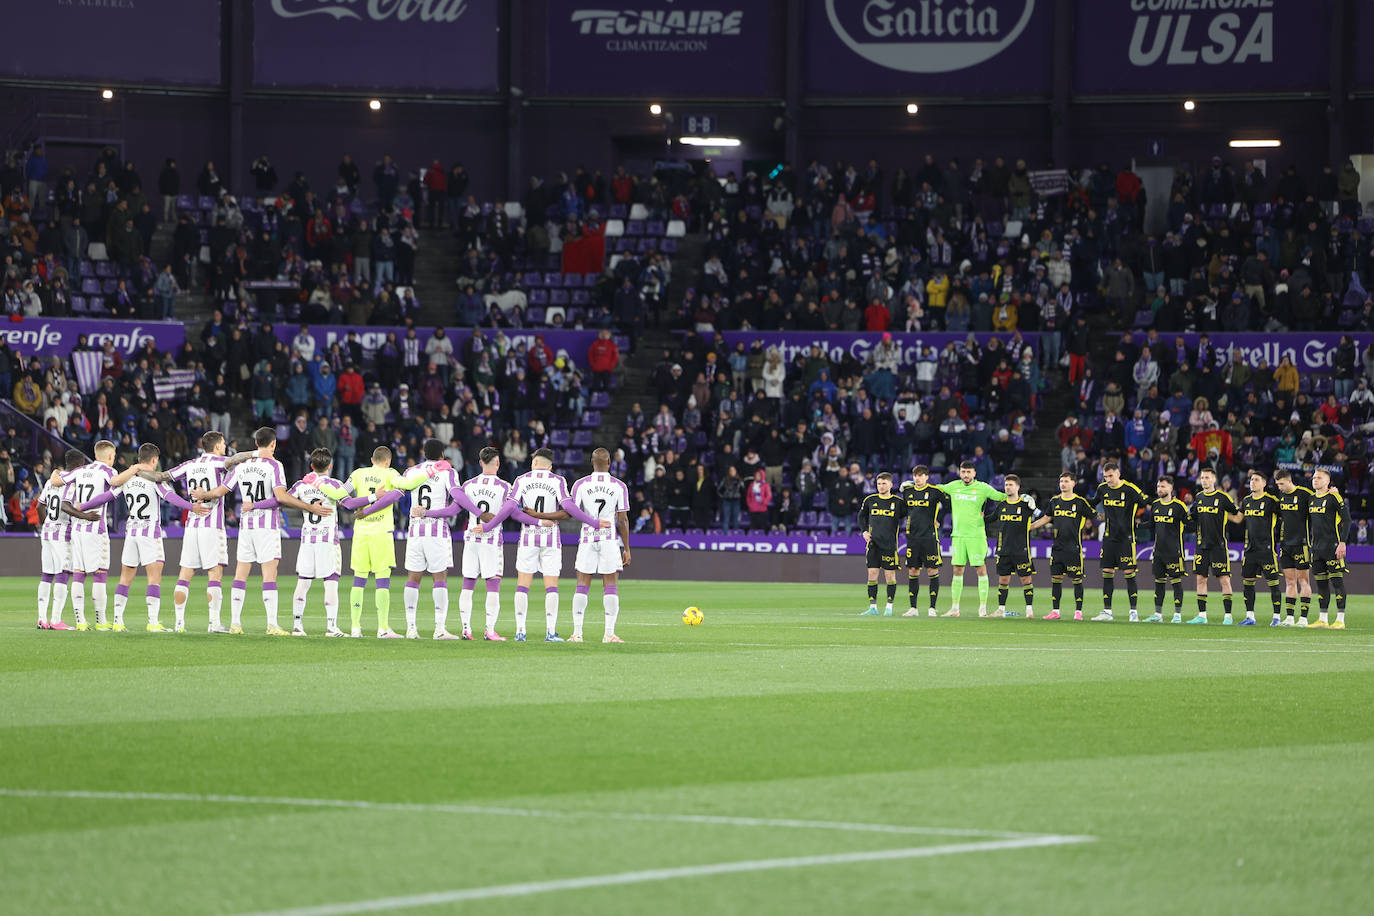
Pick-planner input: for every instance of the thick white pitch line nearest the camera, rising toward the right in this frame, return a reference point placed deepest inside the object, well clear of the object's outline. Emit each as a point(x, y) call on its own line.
point(385, 904)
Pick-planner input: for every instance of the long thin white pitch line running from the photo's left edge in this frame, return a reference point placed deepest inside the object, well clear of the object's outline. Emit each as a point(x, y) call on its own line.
point(510, 812)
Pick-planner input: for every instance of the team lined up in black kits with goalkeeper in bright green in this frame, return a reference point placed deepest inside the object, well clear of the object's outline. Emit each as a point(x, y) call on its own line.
point(1292, 536)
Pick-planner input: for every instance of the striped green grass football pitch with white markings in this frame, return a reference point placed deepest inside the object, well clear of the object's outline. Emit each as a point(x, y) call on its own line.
point(784, 757)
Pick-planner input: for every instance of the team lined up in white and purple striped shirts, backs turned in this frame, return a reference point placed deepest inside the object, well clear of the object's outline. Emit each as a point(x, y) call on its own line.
point(76, 540)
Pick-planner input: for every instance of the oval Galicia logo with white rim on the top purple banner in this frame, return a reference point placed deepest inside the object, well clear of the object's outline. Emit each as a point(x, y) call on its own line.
point(930, 36)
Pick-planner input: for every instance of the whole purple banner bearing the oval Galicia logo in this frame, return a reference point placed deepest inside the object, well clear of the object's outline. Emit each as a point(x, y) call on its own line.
point(947, 47)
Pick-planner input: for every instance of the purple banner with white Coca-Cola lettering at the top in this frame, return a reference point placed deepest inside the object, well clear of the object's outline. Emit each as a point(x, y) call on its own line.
point(438, 46)
